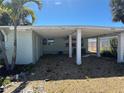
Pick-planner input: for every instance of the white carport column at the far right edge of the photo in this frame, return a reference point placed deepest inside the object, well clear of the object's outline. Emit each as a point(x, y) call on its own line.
point(120, 57)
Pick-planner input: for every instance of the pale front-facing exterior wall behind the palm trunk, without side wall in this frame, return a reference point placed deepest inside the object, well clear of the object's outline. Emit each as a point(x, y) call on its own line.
point(24, 47)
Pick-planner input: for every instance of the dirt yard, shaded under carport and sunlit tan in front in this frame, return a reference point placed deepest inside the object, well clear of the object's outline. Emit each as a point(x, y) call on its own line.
point(59, 74)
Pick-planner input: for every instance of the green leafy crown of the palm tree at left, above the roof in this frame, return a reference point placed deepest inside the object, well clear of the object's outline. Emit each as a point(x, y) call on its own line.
point(19, 11)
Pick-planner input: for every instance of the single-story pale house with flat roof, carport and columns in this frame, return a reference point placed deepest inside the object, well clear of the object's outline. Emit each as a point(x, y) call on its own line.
point(36, 41)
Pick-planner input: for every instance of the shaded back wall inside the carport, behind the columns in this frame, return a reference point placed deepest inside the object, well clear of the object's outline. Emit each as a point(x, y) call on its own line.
point(60, 45)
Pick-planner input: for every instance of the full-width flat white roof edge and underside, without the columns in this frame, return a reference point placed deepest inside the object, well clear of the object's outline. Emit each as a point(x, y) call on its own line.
point(64, 31)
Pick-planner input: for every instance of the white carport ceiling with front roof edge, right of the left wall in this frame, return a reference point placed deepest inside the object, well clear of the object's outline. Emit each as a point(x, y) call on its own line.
point(87, 31)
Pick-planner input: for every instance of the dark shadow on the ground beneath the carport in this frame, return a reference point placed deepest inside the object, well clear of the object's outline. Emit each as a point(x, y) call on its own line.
point(60, 67)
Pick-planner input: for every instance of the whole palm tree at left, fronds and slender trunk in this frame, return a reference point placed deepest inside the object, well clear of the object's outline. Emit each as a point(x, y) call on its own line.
point(18, 12)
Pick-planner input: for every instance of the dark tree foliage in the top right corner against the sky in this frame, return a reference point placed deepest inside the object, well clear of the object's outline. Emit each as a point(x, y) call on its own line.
point(117, 7)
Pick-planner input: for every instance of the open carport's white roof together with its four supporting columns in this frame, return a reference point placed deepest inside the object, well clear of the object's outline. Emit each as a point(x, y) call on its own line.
point(84, 32)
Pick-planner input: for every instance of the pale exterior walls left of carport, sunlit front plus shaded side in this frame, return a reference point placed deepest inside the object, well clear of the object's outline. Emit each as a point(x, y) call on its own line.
point(29, 47)
